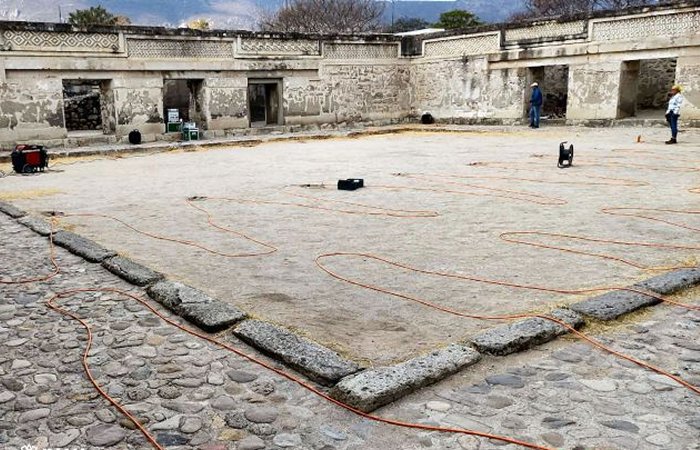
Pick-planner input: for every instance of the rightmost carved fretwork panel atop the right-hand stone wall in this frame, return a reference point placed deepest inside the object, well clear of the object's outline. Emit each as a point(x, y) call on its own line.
point(642, 27)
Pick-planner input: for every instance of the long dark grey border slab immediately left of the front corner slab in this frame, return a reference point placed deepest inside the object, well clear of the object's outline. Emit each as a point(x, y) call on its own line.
point(315, 361)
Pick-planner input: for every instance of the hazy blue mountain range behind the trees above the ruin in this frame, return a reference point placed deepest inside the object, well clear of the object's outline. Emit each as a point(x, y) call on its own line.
point(236, 14)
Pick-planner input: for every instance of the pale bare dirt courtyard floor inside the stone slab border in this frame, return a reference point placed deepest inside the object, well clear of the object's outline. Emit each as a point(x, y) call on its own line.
point(467, 187)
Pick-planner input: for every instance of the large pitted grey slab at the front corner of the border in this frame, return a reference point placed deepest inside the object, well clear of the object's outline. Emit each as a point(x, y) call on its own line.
point(373, 388)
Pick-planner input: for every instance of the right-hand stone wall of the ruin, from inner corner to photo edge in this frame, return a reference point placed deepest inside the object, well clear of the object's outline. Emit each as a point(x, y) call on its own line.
point(479, 77)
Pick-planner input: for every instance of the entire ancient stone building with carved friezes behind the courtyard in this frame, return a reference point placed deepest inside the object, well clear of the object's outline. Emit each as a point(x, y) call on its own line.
point(54, 78)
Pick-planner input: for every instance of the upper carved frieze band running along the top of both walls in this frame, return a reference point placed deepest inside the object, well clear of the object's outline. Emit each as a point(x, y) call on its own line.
point(138, 42)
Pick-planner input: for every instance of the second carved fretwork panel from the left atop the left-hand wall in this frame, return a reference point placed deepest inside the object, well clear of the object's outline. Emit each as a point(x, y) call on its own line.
point(160, 48)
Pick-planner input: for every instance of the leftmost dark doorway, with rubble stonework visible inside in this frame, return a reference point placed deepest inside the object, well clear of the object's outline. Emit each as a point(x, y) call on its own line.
point(83, 105)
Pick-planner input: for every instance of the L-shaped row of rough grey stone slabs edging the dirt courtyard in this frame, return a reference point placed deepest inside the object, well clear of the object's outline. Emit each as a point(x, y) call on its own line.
point(371, 388)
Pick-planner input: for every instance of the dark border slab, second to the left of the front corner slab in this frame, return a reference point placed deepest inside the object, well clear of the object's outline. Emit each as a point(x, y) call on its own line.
point(195, 306)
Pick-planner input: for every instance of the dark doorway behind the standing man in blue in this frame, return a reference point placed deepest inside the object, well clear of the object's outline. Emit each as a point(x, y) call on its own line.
point(554, 83)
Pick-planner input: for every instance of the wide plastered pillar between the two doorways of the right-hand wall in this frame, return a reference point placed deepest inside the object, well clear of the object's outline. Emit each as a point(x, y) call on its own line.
point(594, 91)
